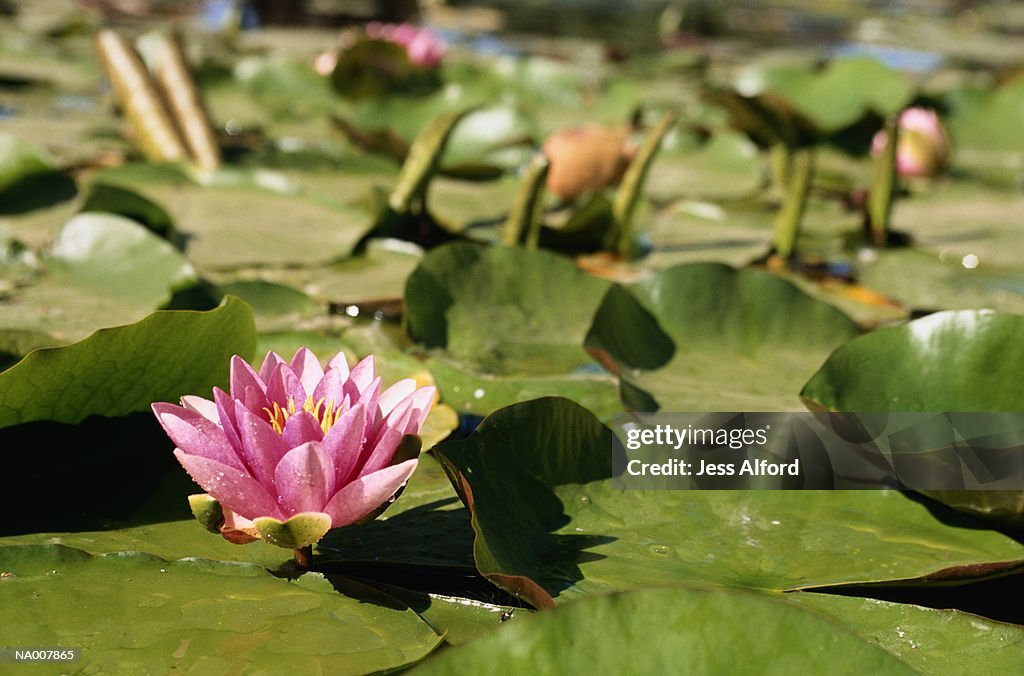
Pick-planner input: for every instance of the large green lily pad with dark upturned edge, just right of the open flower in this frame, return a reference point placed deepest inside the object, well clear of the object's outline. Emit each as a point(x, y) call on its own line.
point(550, 524)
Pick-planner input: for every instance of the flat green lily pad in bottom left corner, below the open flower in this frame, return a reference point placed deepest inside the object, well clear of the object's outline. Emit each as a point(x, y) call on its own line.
point(139, 613)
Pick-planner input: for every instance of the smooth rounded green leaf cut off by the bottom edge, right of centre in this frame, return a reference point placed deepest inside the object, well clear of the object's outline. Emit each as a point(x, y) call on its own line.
point(645, 632)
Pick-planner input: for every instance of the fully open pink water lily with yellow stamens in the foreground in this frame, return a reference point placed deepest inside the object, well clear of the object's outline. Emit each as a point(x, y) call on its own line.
point(296, 444)
